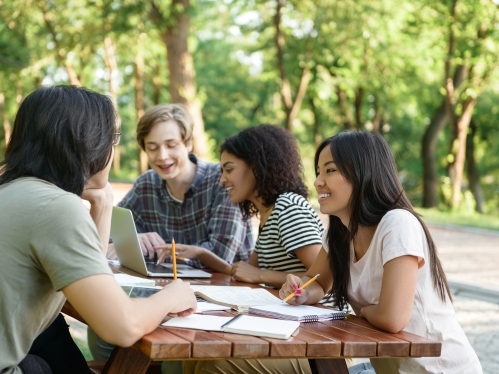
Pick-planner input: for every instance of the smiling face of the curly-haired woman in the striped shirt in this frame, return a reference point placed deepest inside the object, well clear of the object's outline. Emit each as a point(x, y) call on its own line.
point(237, 177)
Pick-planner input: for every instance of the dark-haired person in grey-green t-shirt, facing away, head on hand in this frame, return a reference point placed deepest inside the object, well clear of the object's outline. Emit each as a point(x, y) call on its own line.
point(53, 248)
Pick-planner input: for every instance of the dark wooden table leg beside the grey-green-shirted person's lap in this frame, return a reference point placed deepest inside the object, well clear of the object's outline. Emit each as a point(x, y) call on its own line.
point(126, 360)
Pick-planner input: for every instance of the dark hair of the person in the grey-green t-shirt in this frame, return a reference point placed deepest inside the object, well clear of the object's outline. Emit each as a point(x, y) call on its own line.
point(62, 134)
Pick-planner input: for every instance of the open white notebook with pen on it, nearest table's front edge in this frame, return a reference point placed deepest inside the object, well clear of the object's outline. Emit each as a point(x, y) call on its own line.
point(241, 324)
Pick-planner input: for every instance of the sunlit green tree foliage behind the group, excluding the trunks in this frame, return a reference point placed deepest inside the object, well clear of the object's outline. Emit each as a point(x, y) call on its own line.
point(386, 57)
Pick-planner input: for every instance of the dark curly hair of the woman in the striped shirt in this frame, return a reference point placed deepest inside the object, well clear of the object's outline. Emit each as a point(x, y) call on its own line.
point(272, 154)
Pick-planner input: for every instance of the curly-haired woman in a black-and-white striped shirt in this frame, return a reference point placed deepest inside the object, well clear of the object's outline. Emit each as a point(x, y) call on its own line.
point(262, 172)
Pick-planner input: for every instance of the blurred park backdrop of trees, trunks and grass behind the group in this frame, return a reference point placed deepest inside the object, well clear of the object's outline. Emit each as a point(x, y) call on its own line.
point(423, 73)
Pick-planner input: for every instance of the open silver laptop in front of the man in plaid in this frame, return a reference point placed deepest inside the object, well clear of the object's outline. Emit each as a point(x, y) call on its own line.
point(127, 246)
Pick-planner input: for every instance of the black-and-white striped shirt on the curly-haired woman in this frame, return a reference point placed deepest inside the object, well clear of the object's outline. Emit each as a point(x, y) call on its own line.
point(293, 224)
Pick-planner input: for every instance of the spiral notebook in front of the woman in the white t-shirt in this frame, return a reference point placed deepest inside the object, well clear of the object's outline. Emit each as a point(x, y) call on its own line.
point(301, 313)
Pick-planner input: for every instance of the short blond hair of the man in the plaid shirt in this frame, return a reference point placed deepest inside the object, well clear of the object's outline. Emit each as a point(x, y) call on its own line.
point(163, 113)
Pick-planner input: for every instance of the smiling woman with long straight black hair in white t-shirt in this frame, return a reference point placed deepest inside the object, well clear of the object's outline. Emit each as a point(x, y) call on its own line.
point(379, 257)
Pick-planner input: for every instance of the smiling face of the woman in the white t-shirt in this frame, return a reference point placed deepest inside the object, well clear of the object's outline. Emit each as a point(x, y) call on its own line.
point(333, 189)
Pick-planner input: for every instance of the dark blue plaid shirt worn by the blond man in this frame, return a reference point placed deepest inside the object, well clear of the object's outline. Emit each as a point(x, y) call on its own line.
point(206, 218)
